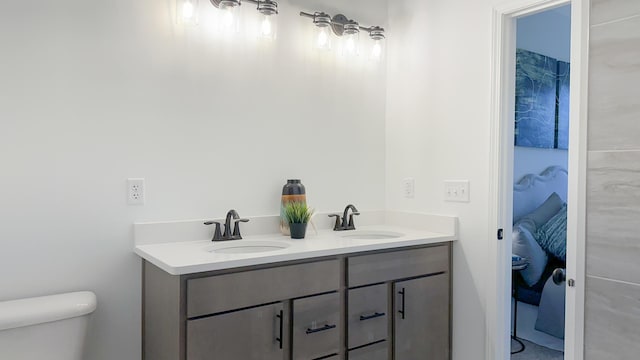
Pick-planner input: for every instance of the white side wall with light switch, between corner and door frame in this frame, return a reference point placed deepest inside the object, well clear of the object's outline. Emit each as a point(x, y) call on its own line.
point(438, 129)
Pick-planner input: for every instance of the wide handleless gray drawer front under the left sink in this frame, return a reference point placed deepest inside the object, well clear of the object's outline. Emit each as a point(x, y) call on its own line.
point(216, 294)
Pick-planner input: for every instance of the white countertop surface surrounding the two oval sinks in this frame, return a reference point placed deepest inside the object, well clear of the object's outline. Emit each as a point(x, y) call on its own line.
point(186, 257)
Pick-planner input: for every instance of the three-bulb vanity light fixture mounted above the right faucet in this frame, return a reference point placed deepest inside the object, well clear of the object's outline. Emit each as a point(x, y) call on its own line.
point(346, 28)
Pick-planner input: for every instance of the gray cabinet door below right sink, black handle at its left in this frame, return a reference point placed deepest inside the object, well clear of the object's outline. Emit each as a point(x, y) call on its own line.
point(421, 318)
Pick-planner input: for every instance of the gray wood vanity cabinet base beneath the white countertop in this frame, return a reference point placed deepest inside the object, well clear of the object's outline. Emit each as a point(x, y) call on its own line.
point(380, 305)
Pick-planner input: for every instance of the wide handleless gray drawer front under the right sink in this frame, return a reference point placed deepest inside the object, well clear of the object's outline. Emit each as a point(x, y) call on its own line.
point(377, 268)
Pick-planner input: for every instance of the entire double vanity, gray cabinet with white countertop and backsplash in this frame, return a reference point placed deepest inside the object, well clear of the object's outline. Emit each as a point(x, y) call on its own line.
point(379, 292)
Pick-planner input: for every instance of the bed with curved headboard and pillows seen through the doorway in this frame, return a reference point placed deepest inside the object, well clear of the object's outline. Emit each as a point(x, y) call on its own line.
point(538, 200)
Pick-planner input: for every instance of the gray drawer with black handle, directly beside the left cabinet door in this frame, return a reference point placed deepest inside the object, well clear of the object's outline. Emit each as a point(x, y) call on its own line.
point(316, 327)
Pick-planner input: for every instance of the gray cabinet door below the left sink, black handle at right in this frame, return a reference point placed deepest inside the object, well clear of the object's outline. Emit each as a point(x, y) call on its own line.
point(253, 334)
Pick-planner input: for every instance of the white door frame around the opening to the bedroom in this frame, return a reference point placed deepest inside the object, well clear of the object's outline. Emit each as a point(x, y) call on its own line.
point(498, 326)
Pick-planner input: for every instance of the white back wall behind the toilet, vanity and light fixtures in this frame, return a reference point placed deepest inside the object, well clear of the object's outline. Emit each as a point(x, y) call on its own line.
point(93, 92)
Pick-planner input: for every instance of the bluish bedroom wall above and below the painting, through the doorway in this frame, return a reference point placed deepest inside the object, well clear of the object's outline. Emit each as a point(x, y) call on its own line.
point(547, 33)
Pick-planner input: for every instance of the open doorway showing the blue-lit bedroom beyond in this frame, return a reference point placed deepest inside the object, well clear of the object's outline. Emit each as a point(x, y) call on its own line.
point(540, 163)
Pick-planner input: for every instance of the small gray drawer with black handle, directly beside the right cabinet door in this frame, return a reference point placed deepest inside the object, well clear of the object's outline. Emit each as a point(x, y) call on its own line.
point(368, 315)
